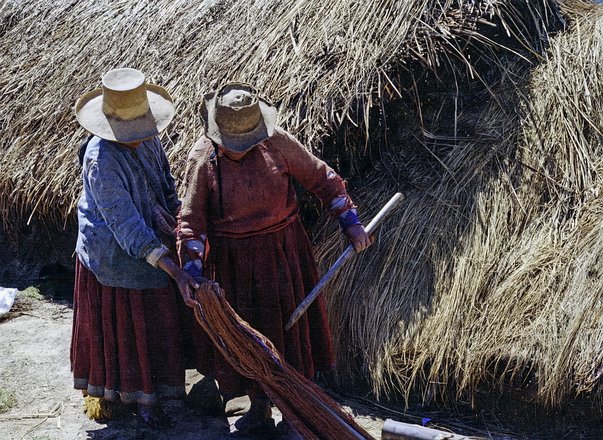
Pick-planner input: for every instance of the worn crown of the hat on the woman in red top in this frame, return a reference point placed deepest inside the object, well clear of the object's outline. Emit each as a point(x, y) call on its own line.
point(237, 109)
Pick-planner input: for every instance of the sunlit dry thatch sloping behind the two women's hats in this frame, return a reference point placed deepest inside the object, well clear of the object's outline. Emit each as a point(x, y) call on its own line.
point(324, 63)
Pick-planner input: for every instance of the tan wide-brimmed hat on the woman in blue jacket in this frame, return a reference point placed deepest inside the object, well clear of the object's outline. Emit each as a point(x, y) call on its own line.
point(126, 108)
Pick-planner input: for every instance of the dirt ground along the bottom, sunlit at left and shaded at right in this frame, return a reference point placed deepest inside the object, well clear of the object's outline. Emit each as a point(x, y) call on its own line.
point(34, 368)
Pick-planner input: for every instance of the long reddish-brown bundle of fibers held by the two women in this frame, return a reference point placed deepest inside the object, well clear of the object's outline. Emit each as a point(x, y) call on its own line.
point(305, 405)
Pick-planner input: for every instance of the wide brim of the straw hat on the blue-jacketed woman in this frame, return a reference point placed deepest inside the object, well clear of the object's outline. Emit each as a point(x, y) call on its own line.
point(89, 113)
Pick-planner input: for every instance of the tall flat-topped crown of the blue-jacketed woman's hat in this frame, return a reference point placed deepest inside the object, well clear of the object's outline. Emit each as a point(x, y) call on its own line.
point(125, 94)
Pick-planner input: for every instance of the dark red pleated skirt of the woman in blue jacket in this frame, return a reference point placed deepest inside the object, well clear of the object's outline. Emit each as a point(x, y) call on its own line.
point(128, 343)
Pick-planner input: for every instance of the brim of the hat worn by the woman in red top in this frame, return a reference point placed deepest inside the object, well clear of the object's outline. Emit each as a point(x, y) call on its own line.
point(239, 142)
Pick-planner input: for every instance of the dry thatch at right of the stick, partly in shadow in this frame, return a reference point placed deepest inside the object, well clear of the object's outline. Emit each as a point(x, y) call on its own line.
point(492, 274)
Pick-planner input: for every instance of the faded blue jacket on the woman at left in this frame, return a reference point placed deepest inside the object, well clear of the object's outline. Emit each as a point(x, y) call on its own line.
point(115, 211)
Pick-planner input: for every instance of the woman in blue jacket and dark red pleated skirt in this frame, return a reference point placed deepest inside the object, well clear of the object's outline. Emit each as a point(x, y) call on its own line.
point(127, 332)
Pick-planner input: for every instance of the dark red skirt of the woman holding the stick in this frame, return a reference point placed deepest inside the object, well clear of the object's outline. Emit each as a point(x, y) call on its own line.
point(265, 277)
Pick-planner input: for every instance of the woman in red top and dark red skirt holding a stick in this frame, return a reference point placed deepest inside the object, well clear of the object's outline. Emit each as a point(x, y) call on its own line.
point(240, 200)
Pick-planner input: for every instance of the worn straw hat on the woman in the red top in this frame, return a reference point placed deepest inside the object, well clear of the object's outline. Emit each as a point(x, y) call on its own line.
point(236, 117)
